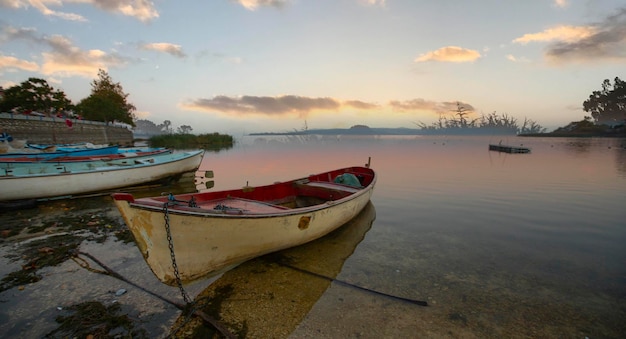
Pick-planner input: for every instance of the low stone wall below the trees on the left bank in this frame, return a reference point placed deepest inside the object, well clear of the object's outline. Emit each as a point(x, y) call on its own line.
point(43, 130)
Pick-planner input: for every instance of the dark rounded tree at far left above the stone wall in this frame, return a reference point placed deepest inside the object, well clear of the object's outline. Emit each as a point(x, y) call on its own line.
point(35, 94)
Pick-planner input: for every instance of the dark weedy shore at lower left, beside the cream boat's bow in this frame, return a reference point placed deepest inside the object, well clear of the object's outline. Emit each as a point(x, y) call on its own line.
point(51, 287)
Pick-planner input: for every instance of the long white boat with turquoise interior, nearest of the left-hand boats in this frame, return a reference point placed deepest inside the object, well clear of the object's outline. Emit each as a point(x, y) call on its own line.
point(46, 180)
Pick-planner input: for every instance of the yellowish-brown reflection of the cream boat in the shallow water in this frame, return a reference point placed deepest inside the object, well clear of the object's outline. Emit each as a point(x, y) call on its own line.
point(266, 296)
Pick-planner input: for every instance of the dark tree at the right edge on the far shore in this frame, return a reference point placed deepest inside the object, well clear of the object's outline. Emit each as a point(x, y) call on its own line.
point(608, 106)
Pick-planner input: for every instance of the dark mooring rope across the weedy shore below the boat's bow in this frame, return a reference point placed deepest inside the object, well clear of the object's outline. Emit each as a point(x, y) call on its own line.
point(189, 307)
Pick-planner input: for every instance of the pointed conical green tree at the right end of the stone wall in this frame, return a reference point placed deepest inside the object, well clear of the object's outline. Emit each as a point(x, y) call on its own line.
point(107, 102)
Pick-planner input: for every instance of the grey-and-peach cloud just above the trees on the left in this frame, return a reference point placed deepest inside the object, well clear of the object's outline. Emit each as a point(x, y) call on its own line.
point(63, 58)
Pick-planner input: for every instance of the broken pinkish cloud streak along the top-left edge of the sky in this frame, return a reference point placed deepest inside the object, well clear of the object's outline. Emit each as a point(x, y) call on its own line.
point(142, 10)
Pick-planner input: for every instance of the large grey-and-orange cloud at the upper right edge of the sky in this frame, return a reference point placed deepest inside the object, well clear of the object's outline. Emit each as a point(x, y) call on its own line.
point(605, 40)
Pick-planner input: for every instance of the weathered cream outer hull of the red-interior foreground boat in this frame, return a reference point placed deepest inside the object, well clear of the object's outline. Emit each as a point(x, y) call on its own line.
point(206, 243)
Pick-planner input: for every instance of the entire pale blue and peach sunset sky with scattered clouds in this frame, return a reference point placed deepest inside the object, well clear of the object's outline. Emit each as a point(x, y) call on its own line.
point(246, 66)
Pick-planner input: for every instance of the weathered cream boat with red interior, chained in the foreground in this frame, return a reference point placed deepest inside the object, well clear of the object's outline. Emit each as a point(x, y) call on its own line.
point(190, 236)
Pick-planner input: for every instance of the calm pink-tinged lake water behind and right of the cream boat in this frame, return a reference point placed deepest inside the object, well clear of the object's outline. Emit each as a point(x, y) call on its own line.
point(527, 245)
